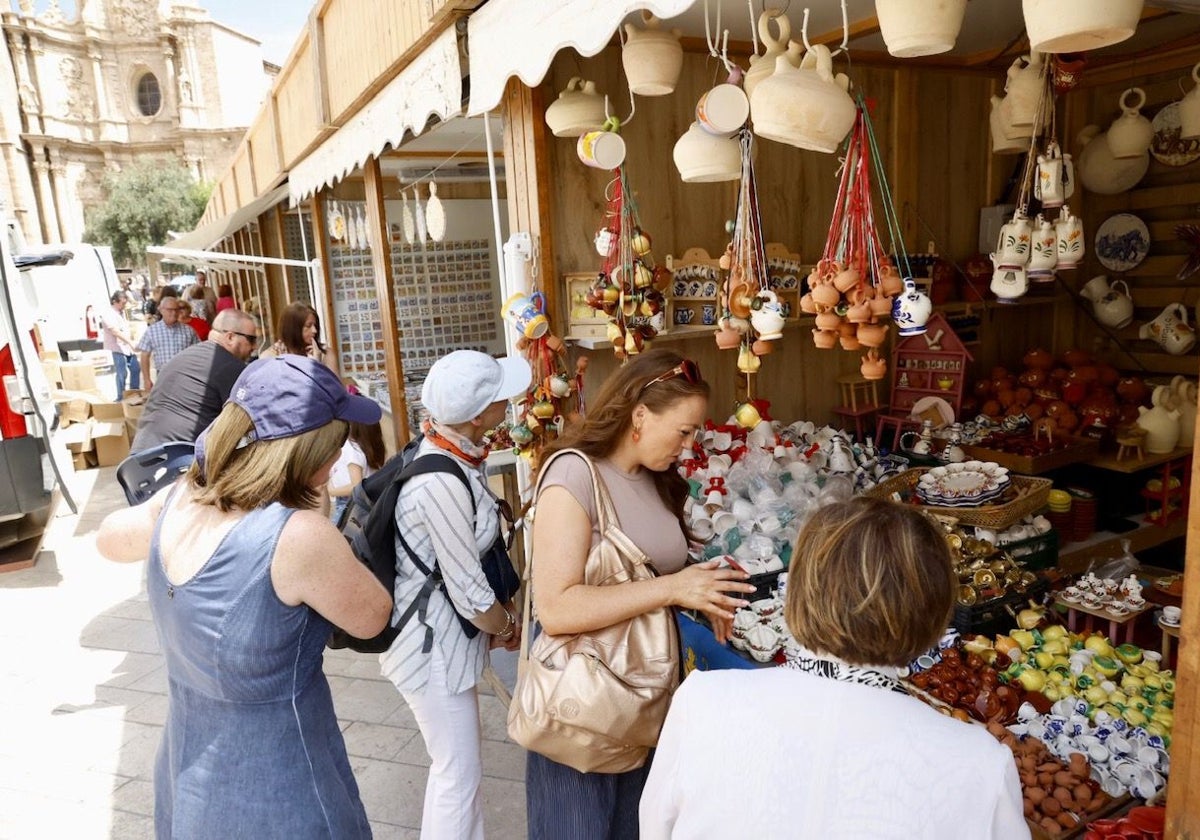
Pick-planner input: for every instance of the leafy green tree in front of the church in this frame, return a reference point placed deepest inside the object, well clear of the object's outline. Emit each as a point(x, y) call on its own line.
point(145, 202)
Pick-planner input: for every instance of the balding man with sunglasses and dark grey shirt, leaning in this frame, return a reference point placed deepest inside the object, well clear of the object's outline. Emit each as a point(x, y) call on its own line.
point(196, 383)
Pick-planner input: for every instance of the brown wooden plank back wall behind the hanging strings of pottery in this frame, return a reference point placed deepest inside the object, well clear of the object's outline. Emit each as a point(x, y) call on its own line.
point(945, 112)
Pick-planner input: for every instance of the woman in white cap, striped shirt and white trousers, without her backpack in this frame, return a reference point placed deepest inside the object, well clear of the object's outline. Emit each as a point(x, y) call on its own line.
point(448, 524)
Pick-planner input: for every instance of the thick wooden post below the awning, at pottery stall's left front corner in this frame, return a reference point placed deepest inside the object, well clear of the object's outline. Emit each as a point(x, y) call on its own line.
point(527, 181)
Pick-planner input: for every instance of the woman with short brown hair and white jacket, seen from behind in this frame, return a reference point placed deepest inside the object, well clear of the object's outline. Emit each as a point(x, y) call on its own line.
point(830, 746)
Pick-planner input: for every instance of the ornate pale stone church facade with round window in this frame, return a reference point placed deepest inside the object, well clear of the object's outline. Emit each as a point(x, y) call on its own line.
point(123, 80)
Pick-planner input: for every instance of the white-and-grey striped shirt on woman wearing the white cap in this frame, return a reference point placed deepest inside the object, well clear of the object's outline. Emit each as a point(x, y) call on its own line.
point(434, 514)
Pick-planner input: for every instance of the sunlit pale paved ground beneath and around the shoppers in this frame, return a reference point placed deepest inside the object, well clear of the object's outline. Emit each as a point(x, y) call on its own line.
point(83, 700)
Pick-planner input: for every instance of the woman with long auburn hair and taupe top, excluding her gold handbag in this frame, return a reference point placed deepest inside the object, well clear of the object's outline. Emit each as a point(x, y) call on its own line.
point(645, 416)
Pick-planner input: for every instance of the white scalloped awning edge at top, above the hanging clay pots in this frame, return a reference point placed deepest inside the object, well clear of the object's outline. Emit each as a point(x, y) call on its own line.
point(520, 38)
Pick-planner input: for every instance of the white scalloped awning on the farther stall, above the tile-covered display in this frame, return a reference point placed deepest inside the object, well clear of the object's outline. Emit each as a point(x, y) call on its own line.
point(431, 86)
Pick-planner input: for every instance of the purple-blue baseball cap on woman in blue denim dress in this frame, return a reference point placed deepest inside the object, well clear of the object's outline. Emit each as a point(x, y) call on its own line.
point(291, 395)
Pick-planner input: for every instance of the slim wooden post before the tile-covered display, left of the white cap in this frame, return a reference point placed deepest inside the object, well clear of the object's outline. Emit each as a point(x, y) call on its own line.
point(381, 266)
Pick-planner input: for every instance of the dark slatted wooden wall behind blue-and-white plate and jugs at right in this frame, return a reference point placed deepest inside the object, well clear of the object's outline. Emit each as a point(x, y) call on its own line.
point(1168, 196)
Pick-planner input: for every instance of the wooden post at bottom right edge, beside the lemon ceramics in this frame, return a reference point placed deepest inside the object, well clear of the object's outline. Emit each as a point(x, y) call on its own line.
point(1184, 794)
